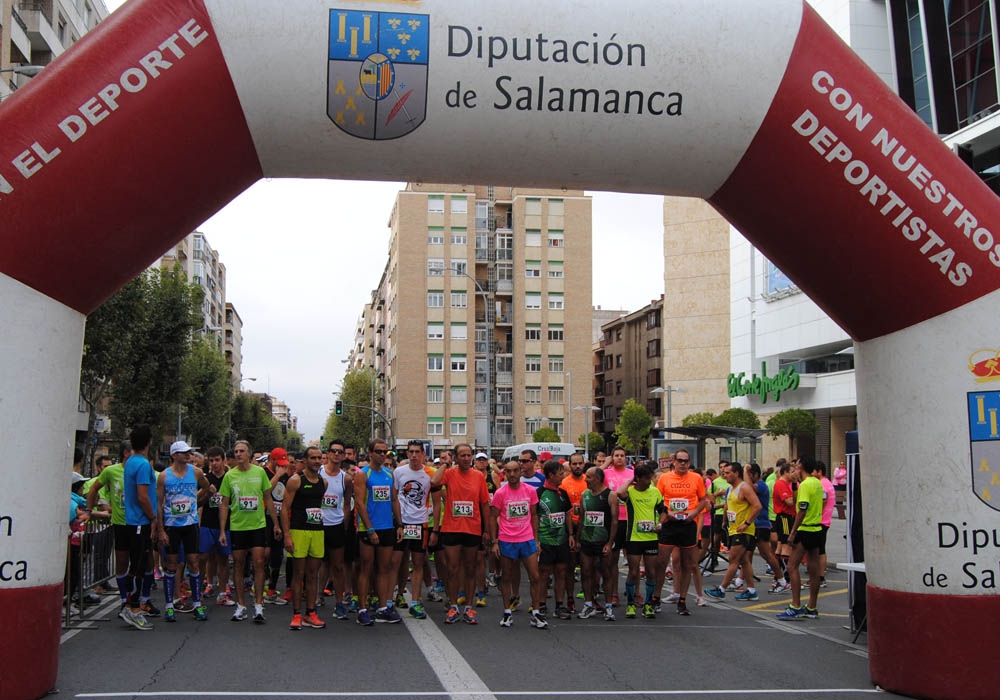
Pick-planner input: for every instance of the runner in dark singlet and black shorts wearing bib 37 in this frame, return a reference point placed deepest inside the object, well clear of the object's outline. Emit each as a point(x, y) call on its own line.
point(596, 533)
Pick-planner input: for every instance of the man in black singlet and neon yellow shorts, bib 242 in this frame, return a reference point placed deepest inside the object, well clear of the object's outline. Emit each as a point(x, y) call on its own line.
point(302, 523)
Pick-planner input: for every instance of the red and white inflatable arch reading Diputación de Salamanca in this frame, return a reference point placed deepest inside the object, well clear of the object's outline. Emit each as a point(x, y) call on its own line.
point(172, 107)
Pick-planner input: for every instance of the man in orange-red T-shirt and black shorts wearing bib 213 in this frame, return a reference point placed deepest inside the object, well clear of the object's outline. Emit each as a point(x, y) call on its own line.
point(463, 529)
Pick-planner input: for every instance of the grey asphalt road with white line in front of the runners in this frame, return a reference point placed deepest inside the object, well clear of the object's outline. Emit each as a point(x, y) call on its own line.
point(726, 651)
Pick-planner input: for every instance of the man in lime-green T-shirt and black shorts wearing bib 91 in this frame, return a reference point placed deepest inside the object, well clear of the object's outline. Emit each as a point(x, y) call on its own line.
point(246, 493)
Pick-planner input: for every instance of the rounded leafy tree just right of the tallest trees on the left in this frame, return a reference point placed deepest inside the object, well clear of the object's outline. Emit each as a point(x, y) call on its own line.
point(207, 394)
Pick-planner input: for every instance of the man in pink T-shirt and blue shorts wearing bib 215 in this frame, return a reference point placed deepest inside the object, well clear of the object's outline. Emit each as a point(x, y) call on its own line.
point(514, 530)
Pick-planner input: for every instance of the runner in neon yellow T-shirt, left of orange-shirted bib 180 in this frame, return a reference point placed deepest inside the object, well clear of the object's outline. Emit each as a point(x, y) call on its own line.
point(645, 515)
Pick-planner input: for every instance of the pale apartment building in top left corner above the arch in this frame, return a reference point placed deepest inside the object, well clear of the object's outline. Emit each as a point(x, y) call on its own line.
point(34, 33)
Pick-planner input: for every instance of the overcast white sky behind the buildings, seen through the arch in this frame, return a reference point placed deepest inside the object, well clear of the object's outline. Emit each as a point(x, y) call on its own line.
point(302, 258)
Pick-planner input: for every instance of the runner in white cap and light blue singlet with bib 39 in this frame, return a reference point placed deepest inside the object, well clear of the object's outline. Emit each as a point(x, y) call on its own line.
point(179, 489)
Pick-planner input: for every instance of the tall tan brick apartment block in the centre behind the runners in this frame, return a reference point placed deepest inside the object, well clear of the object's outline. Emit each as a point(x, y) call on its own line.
point(481, 323)
